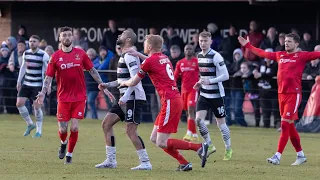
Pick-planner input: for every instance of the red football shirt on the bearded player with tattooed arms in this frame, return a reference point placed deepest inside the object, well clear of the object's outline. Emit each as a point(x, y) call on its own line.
point(68, 68)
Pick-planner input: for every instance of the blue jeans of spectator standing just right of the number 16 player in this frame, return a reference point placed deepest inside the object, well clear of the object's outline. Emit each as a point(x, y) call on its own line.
point(237, 98)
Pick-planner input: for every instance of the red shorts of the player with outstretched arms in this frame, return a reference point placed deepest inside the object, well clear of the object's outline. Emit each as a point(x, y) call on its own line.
point(288, 105)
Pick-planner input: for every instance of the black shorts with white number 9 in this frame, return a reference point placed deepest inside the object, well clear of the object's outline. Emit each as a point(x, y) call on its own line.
point(133, 111)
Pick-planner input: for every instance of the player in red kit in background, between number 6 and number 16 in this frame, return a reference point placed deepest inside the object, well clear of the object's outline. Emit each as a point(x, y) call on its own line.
point(188, 69)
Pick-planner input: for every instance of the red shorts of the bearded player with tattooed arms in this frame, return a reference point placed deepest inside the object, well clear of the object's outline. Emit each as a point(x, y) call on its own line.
point(68, 110)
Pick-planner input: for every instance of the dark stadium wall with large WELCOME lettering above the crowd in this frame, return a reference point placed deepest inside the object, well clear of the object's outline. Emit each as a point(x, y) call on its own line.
point(44, 18)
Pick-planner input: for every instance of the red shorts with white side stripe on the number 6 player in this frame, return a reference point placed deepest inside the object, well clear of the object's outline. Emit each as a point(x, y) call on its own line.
point(169, 116)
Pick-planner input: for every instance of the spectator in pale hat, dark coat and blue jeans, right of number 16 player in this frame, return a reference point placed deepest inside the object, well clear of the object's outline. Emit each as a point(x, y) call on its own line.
point(237, 94)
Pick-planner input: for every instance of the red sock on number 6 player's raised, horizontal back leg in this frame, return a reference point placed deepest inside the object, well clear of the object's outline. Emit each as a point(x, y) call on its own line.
point(182, 145)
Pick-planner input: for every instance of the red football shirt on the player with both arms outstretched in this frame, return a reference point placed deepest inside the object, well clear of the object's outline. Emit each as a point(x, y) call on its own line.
point(290, 67)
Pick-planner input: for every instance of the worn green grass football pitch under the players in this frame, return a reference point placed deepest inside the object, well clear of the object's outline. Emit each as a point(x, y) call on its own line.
point(32, 159)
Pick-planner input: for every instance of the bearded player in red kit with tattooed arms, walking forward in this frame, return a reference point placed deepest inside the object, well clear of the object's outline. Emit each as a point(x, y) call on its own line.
point(67, 65)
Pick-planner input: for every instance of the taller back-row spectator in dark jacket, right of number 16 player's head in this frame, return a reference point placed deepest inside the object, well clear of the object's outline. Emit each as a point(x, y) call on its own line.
point(228, 45)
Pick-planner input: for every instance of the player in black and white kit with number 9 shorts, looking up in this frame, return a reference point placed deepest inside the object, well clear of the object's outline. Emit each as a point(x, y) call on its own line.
point(131, 109)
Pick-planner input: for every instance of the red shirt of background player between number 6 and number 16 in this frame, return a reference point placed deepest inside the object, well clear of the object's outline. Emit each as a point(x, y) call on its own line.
point(189, 72)
